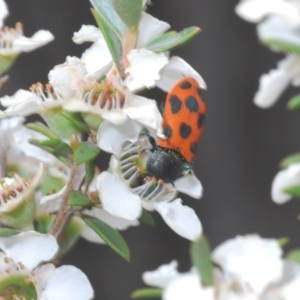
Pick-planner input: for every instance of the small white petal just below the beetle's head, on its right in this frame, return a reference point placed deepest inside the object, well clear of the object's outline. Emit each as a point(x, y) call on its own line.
point(189, 185)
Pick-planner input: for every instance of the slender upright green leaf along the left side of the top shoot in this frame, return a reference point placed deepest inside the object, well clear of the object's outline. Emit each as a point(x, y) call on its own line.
point(112, 40)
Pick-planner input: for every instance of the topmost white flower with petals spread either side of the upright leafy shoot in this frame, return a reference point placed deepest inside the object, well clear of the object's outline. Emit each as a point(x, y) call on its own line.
point(159, 67)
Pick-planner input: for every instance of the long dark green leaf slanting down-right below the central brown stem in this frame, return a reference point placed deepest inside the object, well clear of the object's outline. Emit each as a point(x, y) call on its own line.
point(109, 235)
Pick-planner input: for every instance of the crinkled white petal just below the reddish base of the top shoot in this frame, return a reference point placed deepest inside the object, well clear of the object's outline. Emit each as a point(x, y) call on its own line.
point(141, 60)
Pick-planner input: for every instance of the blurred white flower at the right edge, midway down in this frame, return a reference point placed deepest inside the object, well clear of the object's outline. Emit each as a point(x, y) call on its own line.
point(284, 179)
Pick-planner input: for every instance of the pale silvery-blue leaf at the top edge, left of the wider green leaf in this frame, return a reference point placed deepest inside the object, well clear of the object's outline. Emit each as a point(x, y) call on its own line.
point(107, 13)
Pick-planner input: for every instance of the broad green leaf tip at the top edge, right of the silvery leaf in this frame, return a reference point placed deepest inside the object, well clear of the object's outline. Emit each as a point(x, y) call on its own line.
point(129, 11)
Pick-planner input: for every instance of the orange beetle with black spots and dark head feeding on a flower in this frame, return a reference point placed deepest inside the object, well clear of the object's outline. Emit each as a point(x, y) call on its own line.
point(183, 124)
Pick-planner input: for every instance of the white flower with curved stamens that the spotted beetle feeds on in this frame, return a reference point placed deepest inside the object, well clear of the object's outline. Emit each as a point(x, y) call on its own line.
point(124, 192)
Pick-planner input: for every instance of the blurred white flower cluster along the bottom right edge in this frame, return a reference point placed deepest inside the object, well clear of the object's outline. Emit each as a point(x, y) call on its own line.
point(250, 268)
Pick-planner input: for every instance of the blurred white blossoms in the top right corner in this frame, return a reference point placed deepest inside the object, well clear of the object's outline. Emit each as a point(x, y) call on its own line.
point(279, 22)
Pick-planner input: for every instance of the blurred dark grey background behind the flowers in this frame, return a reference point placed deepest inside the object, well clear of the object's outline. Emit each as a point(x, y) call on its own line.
point(238, 156)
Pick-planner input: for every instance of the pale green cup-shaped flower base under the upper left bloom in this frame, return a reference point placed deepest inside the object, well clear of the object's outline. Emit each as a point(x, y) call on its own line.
point(59, 124)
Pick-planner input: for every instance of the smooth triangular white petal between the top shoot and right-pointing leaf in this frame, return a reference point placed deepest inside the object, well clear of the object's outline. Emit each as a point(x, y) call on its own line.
point(149, 28)
